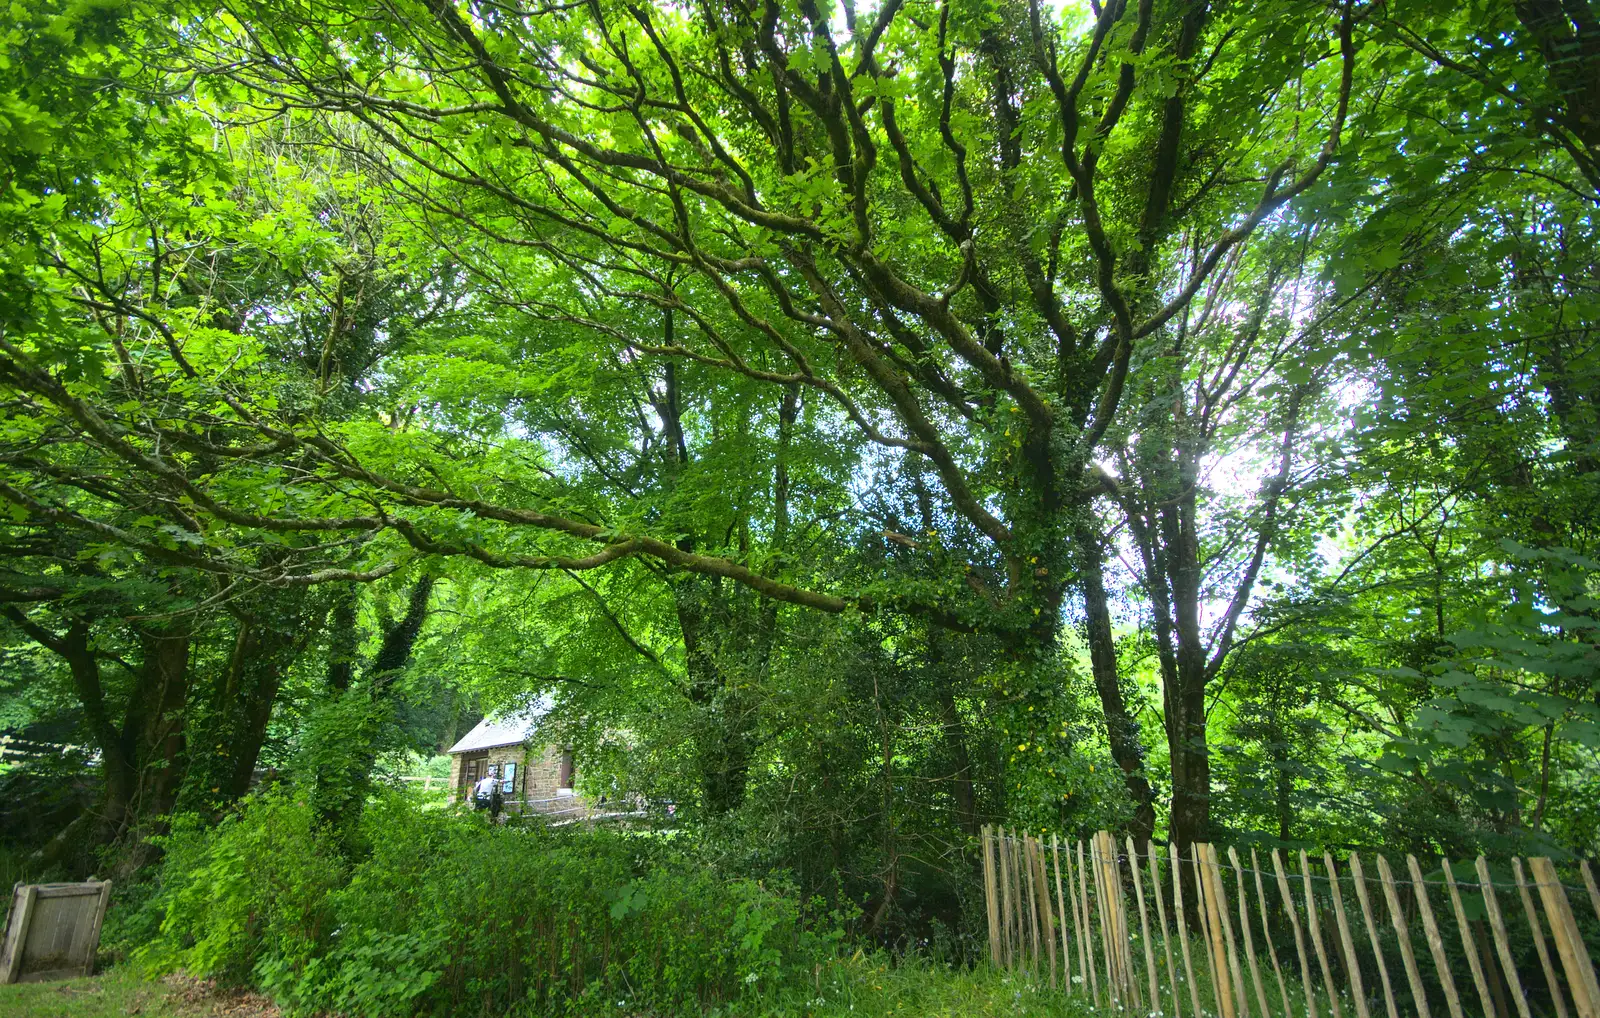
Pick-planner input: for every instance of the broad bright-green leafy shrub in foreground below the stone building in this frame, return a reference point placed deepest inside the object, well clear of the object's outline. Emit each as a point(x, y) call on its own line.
point(450, 916)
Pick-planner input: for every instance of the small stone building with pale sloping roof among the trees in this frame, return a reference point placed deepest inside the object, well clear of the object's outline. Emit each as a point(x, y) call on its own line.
point(535, 776)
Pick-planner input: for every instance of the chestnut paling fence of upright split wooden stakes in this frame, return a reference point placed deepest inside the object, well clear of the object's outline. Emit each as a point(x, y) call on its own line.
point(1154, 931)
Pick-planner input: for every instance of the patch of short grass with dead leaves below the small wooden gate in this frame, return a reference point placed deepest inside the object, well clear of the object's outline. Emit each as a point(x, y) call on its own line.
point(124, 995)
